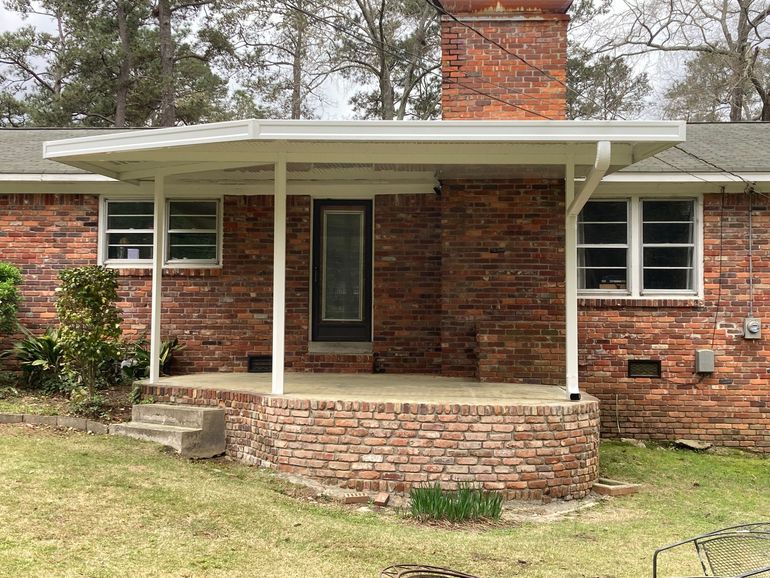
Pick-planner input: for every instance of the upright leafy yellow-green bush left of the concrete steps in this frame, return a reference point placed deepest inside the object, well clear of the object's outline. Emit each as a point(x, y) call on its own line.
point(90, 323)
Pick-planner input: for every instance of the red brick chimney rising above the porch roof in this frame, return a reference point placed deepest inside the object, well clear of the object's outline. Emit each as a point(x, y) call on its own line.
point(536, 30)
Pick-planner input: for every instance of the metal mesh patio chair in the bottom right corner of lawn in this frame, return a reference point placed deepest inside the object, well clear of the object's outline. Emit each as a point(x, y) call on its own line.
point(732, 552)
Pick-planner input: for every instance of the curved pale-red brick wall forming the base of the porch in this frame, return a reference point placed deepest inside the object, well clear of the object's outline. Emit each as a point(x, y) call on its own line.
point(526, 451)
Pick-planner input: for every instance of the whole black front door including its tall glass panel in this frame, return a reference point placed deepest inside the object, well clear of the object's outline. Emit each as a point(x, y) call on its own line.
point(342, 270)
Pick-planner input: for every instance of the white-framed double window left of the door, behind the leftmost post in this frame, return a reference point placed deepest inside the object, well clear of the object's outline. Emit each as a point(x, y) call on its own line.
point(193, 232)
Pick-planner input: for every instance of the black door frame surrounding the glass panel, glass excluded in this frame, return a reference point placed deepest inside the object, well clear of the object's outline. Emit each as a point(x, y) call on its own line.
point(340, 331)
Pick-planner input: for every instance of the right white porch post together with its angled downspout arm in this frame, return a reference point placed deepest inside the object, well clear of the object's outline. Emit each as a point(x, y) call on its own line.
point(575, 204)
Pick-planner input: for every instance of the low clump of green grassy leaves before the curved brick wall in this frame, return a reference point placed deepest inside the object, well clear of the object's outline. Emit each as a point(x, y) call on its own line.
point(466, 503)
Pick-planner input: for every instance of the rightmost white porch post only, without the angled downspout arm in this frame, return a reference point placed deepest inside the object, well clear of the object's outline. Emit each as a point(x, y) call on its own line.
point(570, 289)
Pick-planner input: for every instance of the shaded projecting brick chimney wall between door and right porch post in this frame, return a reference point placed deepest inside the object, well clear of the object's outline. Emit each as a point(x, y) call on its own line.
point(503, 266)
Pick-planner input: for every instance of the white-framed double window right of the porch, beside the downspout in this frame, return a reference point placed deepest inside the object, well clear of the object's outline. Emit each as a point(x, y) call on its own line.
point(638, 246)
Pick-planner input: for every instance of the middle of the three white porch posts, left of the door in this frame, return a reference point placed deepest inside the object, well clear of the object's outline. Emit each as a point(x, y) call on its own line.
point(279, 274)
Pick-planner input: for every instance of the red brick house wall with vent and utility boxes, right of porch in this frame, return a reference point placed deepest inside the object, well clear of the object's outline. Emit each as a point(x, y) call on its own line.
point(731, 406)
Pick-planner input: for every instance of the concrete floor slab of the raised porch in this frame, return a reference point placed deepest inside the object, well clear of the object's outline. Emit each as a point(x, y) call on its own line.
point(379, 387)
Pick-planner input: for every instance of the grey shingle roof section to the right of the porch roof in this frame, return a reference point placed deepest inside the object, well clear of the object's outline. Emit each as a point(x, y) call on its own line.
point(738, 147)
